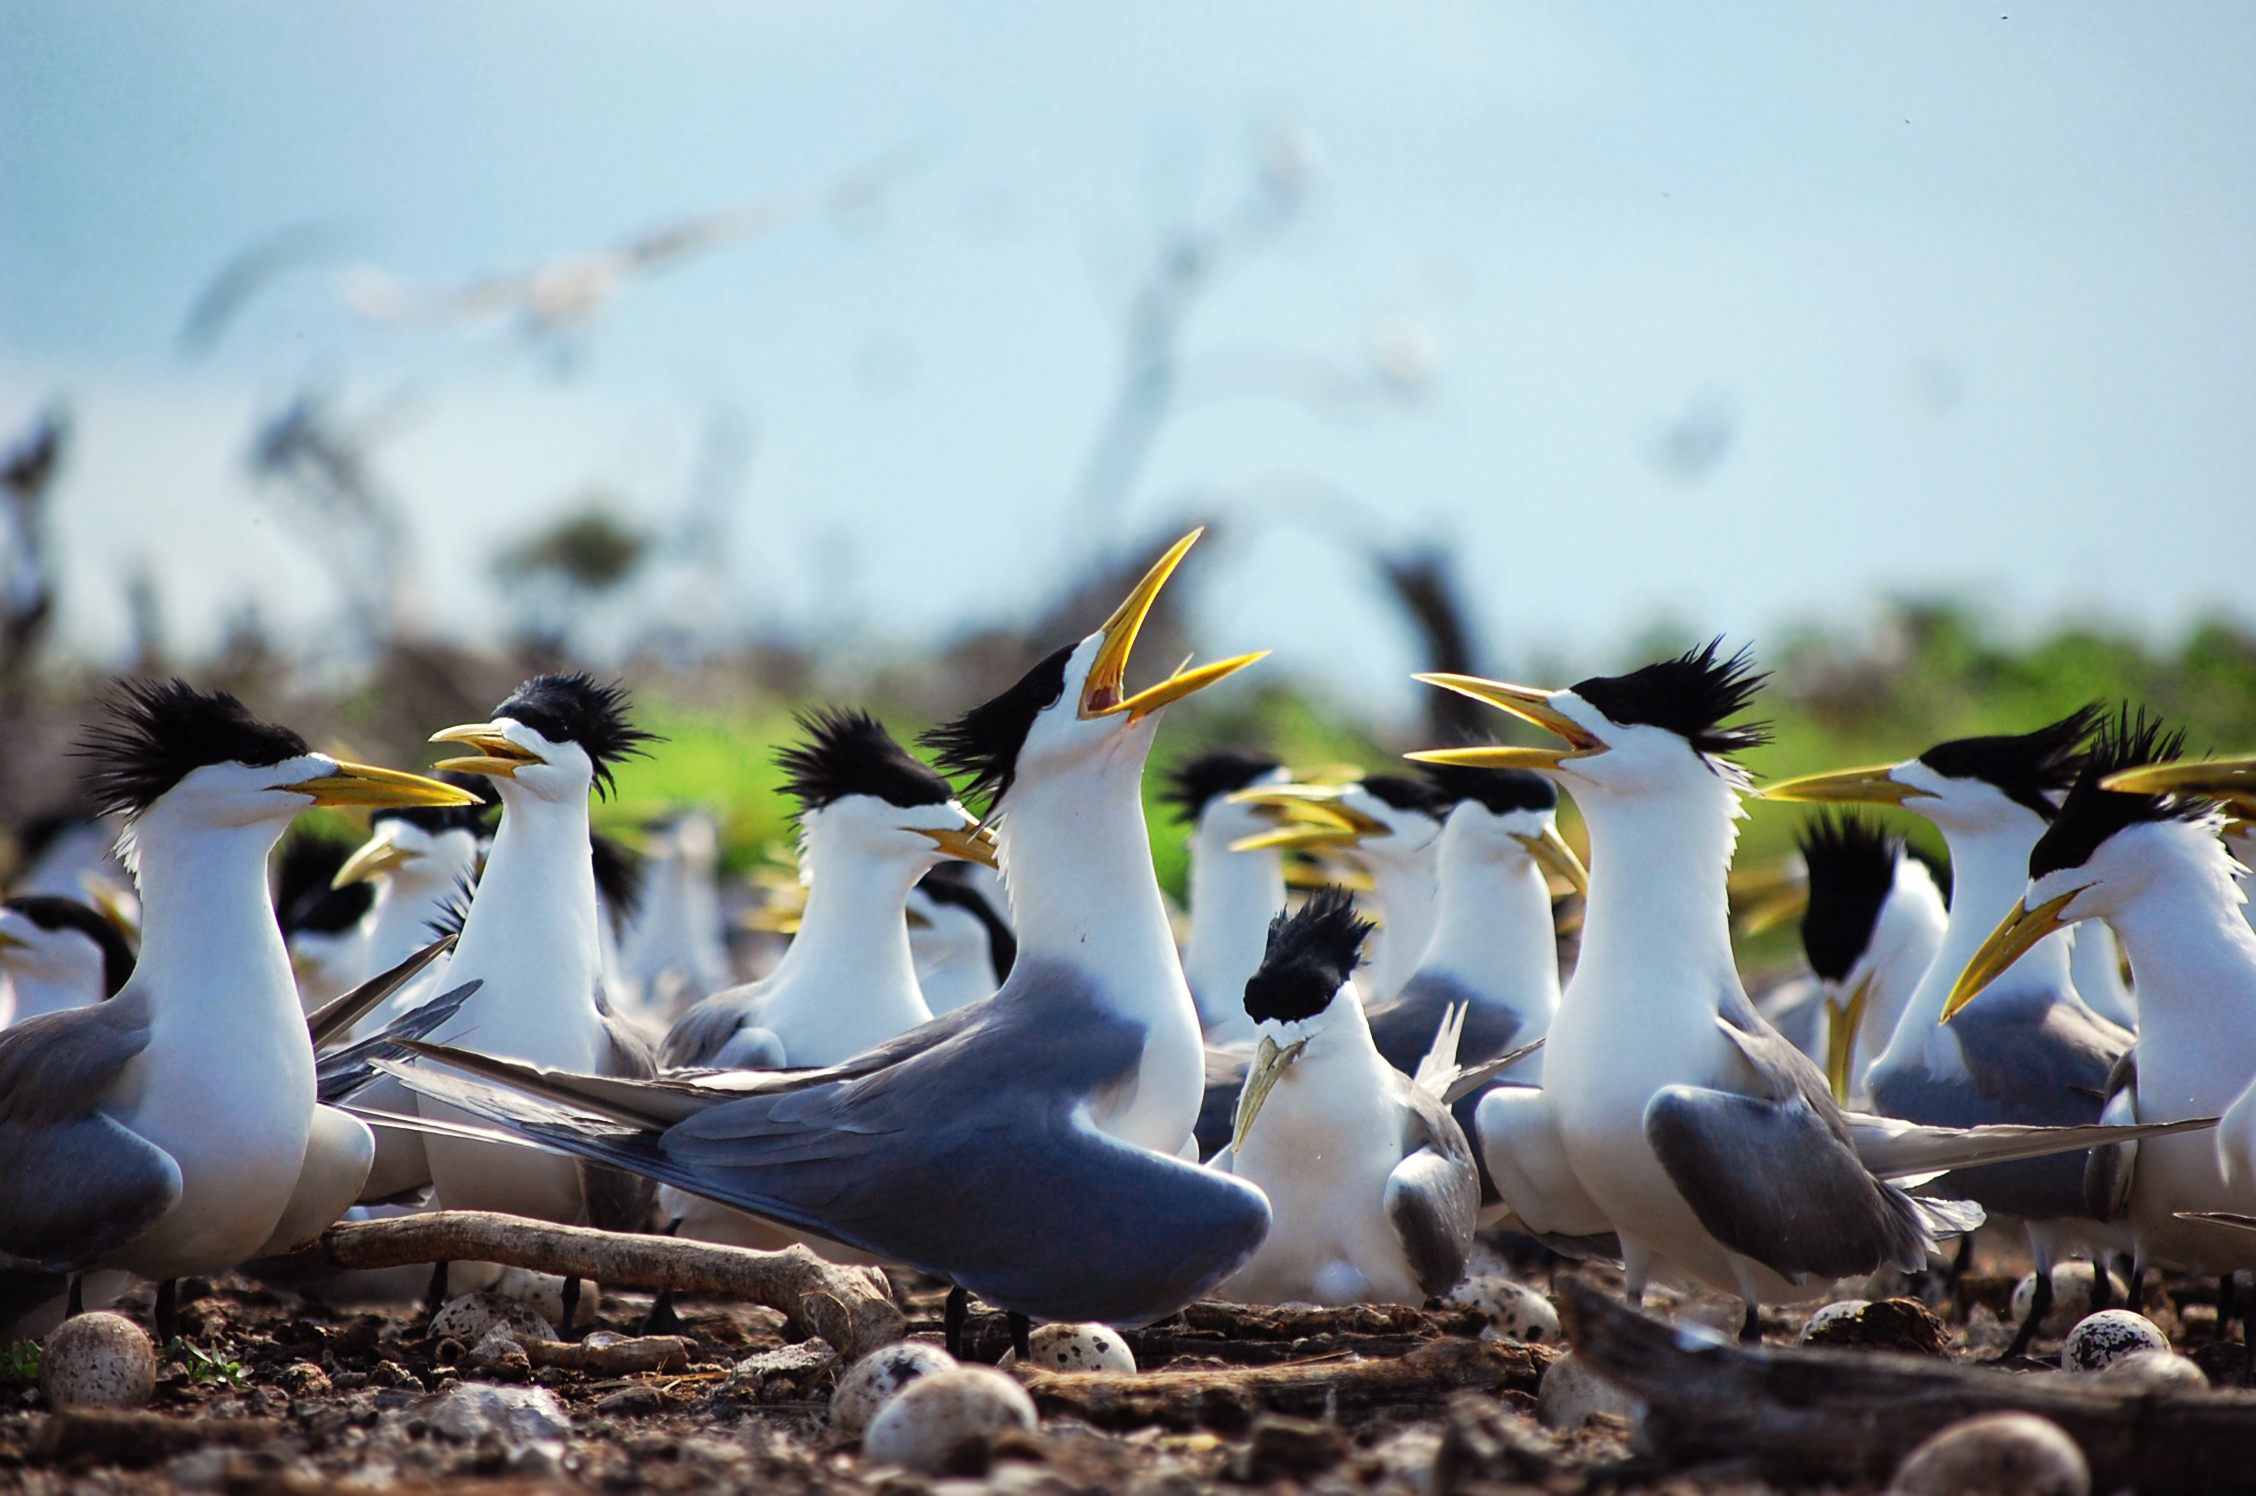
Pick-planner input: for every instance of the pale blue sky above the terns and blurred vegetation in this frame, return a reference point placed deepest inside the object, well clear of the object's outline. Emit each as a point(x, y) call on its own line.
point(1968, 294)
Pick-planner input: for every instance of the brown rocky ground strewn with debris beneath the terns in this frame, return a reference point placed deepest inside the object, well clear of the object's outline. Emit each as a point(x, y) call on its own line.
point(276, 1393)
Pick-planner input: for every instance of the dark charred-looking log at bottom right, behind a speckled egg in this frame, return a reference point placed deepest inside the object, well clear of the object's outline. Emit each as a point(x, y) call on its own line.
point(1853, 1416)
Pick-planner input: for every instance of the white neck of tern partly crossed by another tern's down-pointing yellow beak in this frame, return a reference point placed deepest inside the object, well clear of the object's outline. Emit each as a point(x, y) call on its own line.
point(1989, 877)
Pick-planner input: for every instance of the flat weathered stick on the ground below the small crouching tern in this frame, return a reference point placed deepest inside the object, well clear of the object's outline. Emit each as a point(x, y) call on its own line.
point(1346, 1391)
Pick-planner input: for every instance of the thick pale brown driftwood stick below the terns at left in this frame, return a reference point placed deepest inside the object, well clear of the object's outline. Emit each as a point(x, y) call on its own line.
point(849, 1308)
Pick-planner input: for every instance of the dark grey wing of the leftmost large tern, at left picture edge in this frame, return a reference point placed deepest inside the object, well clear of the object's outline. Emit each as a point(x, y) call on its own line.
point(78, 1181)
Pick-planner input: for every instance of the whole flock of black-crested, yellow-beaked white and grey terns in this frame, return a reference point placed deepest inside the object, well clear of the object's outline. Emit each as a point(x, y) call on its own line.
point(987, 1055)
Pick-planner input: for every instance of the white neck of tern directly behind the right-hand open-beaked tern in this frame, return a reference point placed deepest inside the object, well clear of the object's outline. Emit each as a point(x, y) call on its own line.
point(1495, 924)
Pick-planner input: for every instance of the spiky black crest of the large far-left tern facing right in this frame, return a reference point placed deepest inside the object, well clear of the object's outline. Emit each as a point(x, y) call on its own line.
point(159, 732)
